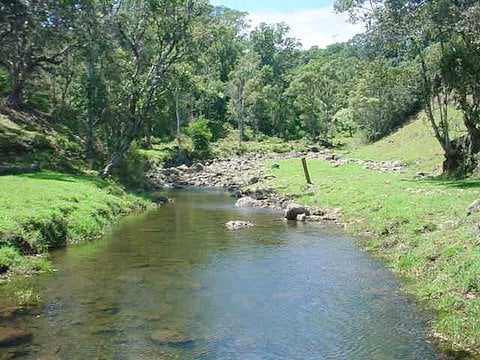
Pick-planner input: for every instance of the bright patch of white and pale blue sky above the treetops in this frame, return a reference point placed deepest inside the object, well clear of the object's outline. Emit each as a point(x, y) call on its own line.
point(313, 22)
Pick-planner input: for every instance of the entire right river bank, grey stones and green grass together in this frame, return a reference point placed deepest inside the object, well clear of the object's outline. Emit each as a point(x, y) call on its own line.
point(423, 228)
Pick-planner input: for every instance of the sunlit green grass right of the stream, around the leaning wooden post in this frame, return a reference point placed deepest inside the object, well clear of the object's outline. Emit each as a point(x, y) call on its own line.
point(419, 227)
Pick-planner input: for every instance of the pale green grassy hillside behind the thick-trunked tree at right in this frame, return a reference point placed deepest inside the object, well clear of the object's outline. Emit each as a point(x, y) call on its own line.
point(413, 144)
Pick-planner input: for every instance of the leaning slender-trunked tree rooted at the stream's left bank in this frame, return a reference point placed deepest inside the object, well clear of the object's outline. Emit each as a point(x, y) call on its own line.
point(152, 36)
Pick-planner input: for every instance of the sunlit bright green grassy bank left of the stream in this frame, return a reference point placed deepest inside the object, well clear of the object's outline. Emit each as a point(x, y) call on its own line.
point(45, 210)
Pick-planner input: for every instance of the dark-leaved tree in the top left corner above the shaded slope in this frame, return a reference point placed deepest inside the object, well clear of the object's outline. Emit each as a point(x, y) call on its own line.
point(33, 36)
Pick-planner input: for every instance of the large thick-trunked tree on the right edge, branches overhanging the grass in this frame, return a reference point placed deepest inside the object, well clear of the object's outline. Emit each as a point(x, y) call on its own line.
point(430, 31)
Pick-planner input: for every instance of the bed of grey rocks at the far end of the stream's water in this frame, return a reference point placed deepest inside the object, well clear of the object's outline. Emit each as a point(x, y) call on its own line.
point(244, 177)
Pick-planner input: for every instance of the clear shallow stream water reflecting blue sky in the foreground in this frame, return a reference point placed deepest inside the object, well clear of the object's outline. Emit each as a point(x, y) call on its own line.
point(175, 284)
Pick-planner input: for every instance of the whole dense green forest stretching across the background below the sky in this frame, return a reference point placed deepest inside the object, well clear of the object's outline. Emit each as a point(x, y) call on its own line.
point(123, 75)
